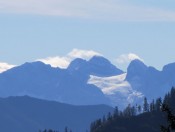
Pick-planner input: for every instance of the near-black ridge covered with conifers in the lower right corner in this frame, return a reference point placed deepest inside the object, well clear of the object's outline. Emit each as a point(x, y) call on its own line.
point(155, 118)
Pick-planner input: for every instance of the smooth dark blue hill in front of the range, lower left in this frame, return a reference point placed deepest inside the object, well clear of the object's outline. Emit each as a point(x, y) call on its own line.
point(26, 114)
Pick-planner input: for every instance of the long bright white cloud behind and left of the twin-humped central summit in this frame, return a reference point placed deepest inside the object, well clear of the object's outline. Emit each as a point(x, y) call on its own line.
point(64, 61)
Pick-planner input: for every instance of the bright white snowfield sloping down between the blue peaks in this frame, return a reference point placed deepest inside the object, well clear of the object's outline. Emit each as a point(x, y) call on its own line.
point(117, 89)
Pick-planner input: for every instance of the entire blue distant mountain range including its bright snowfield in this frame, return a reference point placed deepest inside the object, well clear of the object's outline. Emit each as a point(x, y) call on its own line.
point(96, 81)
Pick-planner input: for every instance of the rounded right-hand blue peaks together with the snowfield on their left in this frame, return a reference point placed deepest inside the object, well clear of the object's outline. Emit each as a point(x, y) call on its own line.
point(139, 81)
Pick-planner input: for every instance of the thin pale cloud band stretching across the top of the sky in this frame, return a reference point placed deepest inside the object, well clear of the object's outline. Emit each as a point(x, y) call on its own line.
point(92, 9)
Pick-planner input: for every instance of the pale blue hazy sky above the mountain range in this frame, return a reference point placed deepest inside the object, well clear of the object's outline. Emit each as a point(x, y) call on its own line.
point(38, 29)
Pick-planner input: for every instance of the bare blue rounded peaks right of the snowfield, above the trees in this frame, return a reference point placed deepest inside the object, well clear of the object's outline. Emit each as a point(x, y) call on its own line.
point(148, 80)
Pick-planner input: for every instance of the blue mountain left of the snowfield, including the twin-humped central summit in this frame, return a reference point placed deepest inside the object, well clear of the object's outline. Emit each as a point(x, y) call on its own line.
point(65, 85)
